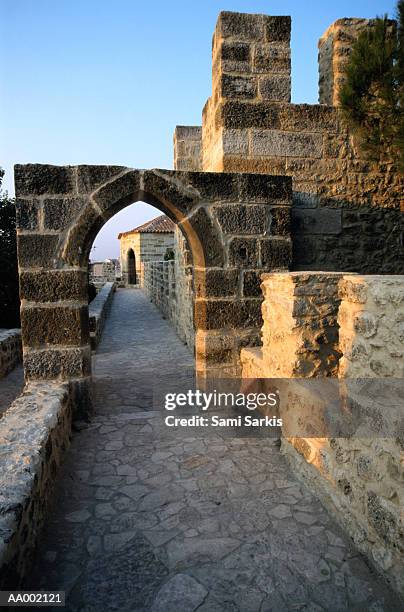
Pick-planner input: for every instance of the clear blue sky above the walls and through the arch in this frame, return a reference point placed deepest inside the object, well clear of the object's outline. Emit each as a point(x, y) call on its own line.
point(106, 81)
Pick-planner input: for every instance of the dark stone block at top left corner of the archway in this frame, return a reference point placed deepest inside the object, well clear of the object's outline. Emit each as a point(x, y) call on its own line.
point(38, 179)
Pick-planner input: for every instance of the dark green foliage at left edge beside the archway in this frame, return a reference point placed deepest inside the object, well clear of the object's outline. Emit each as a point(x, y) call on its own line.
point(9, 293)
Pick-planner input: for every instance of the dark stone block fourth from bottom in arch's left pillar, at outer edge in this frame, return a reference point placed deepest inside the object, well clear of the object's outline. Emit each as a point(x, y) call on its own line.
point(36, 250)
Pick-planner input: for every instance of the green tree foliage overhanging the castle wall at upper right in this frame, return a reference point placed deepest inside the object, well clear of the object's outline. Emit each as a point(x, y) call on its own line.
point(372, 95)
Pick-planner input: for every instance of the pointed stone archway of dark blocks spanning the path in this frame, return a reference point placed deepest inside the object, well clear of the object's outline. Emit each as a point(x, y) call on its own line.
point(237, 227)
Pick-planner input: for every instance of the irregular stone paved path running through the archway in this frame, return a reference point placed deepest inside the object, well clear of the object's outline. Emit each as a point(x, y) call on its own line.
point(144, 521)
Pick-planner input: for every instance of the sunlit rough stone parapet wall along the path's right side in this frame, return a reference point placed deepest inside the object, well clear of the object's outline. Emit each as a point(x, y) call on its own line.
point(347, 327)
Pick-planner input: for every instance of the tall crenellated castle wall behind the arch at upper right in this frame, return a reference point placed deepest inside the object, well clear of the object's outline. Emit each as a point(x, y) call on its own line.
point(346, 210)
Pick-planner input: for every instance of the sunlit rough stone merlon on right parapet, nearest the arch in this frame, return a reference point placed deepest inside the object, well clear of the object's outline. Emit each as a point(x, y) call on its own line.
point(300, 331)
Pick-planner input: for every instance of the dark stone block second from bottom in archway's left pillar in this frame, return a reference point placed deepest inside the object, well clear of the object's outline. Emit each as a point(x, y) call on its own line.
point(63, 325)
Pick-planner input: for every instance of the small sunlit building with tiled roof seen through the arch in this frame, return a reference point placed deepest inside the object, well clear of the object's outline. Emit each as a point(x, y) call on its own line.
point(147, 242)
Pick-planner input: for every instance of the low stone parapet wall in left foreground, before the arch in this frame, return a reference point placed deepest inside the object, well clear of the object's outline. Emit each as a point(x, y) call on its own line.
point(34, 433)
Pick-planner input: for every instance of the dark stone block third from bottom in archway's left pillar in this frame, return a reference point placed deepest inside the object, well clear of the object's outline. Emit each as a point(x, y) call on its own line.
point(53, 286)
